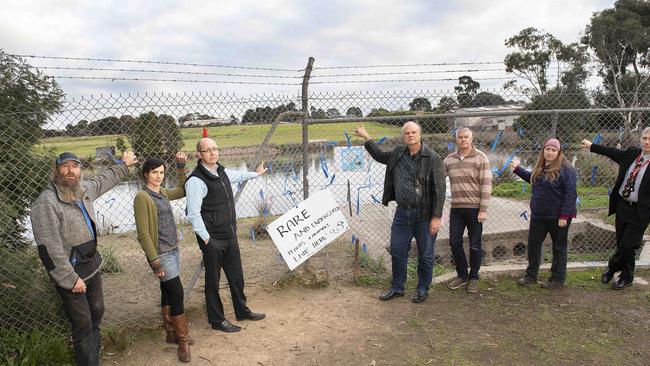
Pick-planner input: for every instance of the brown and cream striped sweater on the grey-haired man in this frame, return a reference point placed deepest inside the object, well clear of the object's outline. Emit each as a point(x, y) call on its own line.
point(470, 180)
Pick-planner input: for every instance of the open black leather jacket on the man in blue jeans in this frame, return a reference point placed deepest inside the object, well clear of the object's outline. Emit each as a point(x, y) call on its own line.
point(430, 185)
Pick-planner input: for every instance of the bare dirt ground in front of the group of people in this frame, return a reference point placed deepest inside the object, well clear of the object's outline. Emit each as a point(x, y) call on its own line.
point(344, 324)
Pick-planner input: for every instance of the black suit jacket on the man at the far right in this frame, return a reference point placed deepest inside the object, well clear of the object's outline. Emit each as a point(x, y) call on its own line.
point(625, 158)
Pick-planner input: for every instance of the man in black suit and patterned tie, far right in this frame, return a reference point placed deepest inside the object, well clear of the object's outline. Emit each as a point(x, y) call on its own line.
point(630, 200)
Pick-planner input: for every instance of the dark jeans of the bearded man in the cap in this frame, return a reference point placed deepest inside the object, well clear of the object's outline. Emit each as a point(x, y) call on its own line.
point(85, 311)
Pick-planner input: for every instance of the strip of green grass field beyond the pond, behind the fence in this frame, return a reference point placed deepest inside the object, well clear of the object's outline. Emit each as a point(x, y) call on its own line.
point(226, 136)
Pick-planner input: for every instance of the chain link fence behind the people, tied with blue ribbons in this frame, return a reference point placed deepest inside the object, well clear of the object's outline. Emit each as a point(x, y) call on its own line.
point(99, 128)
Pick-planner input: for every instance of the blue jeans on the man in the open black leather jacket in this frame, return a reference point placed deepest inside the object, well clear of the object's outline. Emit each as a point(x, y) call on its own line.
point(405, 227)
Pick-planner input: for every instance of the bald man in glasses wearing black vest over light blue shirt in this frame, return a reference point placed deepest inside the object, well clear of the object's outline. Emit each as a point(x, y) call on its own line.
point(211, 210)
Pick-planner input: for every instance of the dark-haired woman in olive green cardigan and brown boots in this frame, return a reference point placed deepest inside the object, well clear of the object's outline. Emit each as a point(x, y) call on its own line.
point(157, 234)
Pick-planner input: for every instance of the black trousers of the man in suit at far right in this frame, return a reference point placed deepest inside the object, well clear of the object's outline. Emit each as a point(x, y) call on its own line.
point(629, 236)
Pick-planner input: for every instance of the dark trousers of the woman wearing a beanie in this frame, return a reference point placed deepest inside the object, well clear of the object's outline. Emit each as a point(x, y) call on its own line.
point(559, 235)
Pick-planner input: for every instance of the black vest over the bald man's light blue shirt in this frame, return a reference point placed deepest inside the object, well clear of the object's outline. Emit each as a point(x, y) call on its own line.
point(218, 206)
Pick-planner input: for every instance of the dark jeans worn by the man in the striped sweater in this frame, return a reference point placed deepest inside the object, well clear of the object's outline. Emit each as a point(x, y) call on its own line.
point(459, 218)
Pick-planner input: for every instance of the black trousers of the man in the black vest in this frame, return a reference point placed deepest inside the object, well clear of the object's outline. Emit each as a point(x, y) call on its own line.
point(223, 254)
